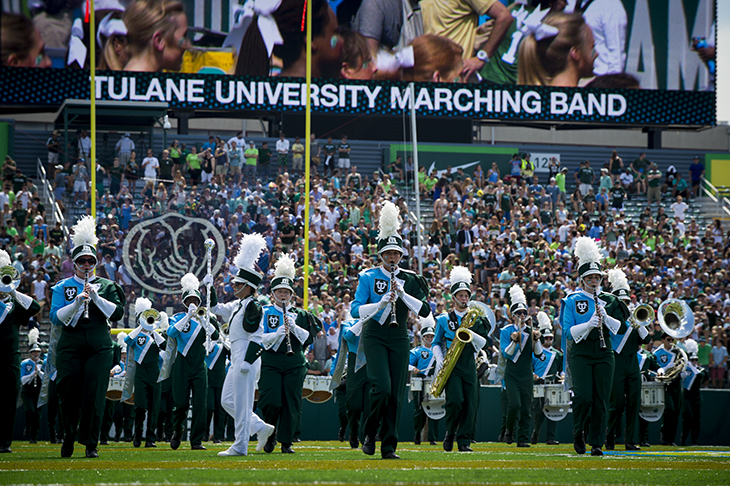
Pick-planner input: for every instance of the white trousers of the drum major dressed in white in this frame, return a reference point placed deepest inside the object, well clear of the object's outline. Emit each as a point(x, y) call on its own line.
point(238, 396)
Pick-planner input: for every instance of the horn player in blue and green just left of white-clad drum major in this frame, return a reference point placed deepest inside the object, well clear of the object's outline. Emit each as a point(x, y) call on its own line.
point(188, 369)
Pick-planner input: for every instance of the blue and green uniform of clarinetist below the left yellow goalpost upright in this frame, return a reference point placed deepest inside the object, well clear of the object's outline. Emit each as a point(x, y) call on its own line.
point(84, 356)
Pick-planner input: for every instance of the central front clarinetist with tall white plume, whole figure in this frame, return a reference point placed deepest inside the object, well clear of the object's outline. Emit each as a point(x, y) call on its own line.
point(383, 298)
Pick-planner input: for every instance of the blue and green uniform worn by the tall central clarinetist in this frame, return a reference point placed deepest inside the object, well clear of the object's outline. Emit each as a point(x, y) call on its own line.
point(386, 348)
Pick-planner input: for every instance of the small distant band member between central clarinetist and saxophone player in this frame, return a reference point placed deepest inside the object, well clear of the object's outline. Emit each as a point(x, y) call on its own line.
point(420, 364)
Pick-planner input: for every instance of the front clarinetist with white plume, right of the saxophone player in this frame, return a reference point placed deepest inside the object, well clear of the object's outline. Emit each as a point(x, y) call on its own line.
point(589, 356)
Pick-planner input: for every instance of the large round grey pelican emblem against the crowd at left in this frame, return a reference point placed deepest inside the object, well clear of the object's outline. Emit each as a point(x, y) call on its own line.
point(159, 251)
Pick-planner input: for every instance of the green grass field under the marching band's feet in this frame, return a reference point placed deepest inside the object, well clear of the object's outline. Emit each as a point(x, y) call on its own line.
point(335, 463)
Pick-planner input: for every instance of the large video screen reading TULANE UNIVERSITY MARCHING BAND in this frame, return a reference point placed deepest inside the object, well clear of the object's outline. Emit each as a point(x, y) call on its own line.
point(646, 62)
